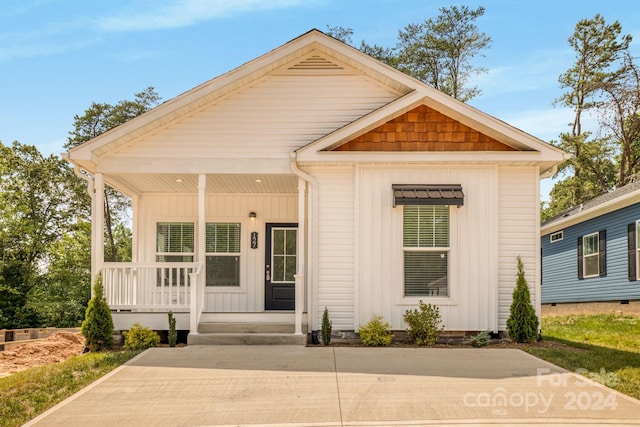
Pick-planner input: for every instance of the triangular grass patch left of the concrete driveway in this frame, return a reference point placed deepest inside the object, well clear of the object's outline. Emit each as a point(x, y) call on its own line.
point(25, 395)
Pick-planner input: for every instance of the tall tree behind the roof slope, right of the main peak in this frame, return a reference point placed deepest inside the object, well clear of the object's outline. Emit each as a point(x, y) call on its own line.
point(437, 51)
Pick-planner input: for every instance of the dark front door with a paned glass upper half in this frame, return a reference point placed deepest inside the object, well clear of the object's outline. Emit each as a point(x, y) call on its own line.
point(280, 266)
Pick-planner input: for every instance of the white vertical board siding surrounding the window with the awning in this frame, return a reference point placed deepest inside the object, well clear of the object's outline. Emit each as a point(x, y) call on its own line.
point(473, 261)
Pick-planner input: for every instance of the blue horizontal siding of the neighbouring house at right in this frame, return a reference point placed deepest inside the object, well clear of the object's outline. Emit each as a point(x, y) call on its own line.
point(560, 281)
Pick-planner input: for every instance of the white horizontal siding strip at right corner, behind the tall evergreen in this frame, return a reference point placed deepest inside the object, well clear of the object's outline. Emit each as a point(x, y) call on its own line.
point(519, 206)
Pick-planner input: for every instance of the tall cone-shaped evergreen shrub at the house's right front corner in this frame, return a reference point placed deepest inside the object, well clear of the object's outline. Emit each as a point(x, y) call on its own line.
point(522, 325)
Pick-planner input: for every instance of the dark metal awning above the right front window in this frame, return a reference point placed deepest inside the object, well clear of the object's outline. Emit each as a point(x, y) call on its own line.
point(427, 194)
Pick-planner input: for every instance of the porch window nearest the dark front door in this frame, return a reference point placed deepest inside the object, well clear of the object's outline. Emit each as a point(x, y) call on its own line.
point(223, 254)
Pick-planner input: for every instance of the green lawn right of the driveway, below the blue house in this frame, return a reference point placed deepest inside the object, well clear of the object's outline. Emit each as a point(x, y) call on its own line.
point(605, 348)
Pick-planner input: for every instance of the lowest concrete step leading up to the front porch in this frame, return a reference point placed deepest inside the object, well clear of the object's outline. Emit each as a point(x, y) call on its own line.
point(256, 338)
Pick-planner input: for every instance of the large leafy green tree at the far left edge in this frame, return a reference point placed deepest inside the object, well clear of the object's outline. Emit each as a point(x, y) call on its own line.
point(36, 207)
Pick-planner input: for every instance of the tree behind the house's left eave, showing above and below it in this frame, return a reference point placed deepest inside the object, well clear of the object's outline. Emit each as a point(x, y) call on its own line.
point(96, 120)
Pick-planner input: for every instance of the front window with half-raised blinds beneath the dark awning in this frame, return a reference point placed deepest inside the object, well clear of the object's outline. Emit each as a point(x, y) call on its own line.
point(426, 250)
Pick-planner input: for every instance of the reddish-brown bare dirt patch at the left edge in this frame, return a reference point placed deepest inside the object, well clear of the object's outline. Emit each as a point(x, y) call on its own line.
point(58, 347)
